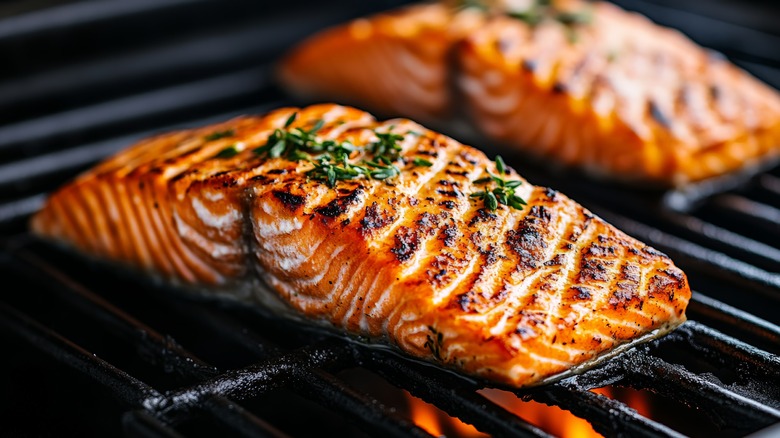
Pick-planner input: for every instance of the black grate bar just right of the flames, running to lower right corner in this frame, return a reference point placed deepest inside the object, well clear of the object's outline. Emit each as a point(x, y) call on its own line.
point(723, 406)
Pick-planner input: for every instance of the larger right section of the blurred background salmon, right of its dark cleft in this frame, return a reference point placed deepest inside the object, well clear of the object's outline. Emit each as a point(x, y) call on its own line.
point(625, 98)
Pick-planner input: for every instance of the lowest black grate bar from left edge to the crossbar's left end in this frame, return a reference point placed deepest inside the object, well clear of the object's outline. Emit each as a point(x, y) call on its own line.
point(123, 386)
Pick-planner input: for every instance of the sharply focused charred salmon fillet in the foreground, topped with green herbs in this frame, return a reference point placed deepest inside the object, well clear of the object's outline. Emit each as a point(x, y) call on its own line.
point(419, 259)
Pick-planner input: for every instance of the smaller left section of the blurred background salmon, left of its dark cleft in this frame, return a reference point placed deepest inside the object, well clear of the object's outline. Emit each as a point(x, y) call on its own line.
point(396, 63)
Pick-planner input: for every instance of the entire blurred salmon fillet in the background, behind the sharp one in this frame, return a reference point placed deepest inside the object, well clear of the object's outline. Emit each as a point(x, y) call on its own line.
point(585, 84)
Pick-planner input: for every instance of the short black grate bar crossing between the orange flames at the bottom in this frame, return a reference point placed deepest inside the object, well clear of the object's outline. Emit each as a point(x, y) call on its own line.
point(608, 417)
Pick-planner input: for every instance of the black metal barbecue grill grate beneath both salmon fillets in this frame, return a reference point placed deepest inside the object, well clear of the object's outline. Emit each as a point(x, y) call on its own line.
point(91, 350)
